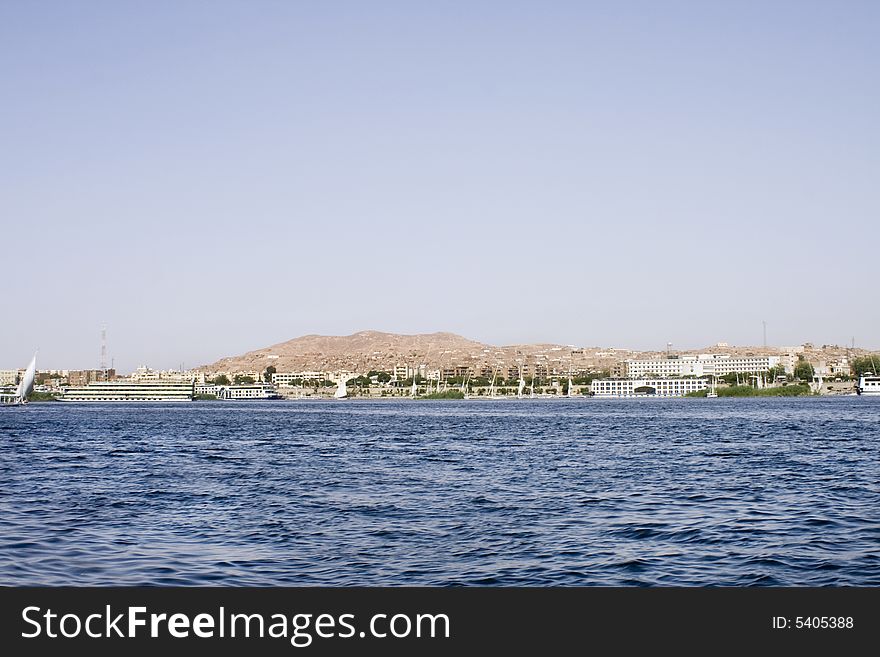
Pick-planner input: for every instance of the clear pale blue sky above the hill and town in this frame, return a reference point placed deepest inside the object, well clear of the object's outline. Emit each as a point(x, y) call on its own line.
point(212, 177)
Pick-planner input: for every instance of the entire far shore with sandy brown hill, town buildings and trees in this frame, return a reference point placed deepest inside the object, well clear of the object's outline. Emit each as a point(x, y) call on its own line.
point(375, 365)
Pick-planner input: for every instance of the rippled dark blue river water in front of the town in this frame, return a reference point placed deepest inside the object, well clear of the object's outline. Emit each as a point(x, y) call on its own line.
point(563, 492)
